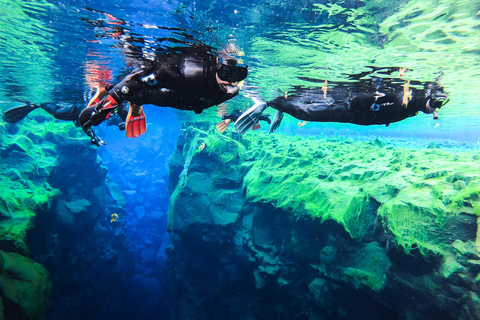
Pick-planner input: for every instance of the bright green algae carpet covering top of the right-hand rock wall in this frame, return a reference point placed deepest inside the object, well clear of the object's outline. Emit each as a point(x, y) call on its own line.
point(414, 193)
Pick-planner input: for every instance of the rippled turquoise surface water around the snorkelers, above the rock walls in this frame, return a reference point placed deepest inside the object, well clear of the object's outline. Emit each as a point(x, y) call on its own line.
point(47, 47)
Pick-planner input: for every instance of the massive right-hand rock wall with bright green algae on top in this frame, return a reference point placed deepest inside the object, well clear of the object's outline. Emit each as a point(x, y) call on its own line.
point(277, 227)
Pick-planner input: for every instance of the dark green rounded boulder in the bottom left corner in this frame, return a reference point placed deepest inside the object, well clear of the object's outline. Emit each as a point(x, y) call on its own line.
point(25, 287)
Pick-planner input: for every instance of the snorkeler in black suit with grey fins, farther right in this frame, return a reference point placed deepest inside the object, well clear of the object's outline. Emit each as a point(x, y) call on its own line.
point(368, 102)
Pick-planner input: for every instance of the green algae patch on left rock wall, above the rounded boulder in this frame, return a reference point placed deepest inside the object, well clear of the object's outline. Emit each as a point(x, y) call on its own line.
point(26, 160)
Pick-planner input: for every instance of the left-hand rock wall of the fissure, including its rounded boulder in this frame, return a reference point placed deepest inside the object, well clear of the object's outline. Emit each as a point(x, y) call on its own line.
point(57, 241)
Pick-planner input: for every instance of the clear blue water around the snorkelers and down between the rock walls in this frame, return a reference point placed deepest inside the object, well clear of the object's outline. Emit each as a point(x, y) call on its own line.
point(47, 46)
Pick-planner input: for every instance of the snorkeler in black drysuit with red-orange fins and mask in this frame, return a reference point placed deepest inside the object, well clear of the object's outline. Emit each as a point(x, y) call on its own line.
point(191, 78)
